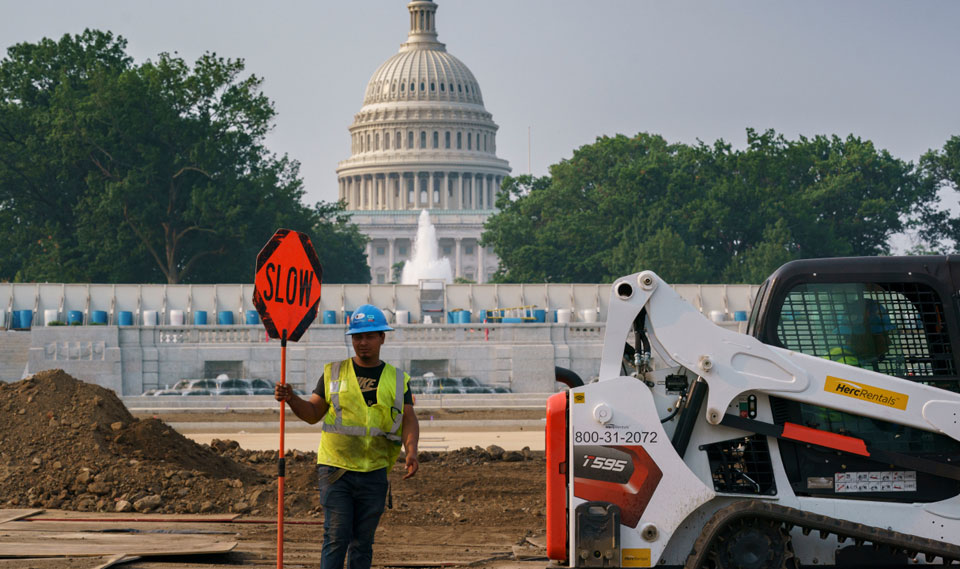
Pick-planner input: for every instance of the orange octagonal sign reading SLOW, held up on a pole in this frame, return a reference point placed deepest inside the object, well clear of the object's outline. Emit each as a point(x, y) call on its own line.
point(286, 288)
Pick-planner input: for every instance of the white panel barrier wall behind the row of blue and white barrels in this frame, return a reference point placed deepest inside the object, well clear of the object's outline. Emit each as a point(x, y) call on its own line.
point(237, 298)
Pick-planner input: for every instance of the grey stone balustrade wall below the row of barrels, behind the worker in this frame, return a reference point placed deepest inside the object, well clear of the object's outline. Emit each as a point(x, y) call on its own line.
point(133, 359)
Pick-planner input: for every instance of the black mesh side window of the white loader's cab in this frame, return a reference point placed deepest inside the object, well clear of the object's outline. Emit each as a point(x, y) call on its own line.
point(893, 328)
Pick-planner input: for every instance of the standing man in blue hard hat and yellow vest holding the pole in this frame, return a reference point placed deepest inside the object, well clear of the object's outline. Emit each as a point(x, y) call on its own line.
point(367, 412)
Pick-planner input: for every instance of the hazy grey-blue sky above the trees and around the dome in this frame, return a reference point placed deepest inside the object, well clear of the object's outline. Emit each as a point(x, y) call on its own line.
point(570, 70)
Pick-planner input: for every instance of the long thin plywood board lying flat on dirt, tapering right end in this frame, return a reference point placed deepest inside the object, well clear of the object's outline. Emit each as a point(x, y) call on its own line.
point(91, 544)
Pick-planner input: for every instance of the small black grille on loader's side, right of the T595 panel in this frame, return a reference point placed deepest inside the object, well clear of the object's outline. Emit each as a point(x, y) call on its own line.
point(741, 466)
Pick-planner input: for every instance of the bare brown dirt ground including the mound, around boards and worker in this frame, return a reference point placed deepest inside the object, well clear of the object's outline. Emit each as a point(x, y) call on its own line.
point(68, 445)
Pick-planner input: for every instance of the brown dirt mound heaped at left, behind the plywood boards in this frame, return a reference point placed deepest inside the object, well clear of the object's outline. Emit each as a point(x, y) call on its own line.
point(73, 445)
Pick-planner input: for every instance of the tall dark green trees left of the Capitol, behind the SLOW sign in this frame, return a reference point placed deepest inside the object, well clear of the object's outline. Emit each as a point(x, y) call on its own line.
point(113, 171)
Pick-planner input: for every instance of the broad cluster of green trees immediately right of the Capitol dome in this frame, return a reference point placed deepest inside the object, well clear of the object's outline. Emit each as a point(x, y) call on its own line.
point(703, 213)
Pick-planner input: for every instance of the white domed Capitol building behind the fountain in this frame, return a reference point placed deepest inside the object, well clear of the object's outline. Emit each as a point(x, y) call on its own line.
point(423, 140)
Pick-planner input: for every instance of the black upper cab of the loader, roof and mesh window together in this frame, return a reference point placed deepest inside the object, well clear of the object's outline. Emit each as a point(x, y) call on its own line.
point(893, 315)
